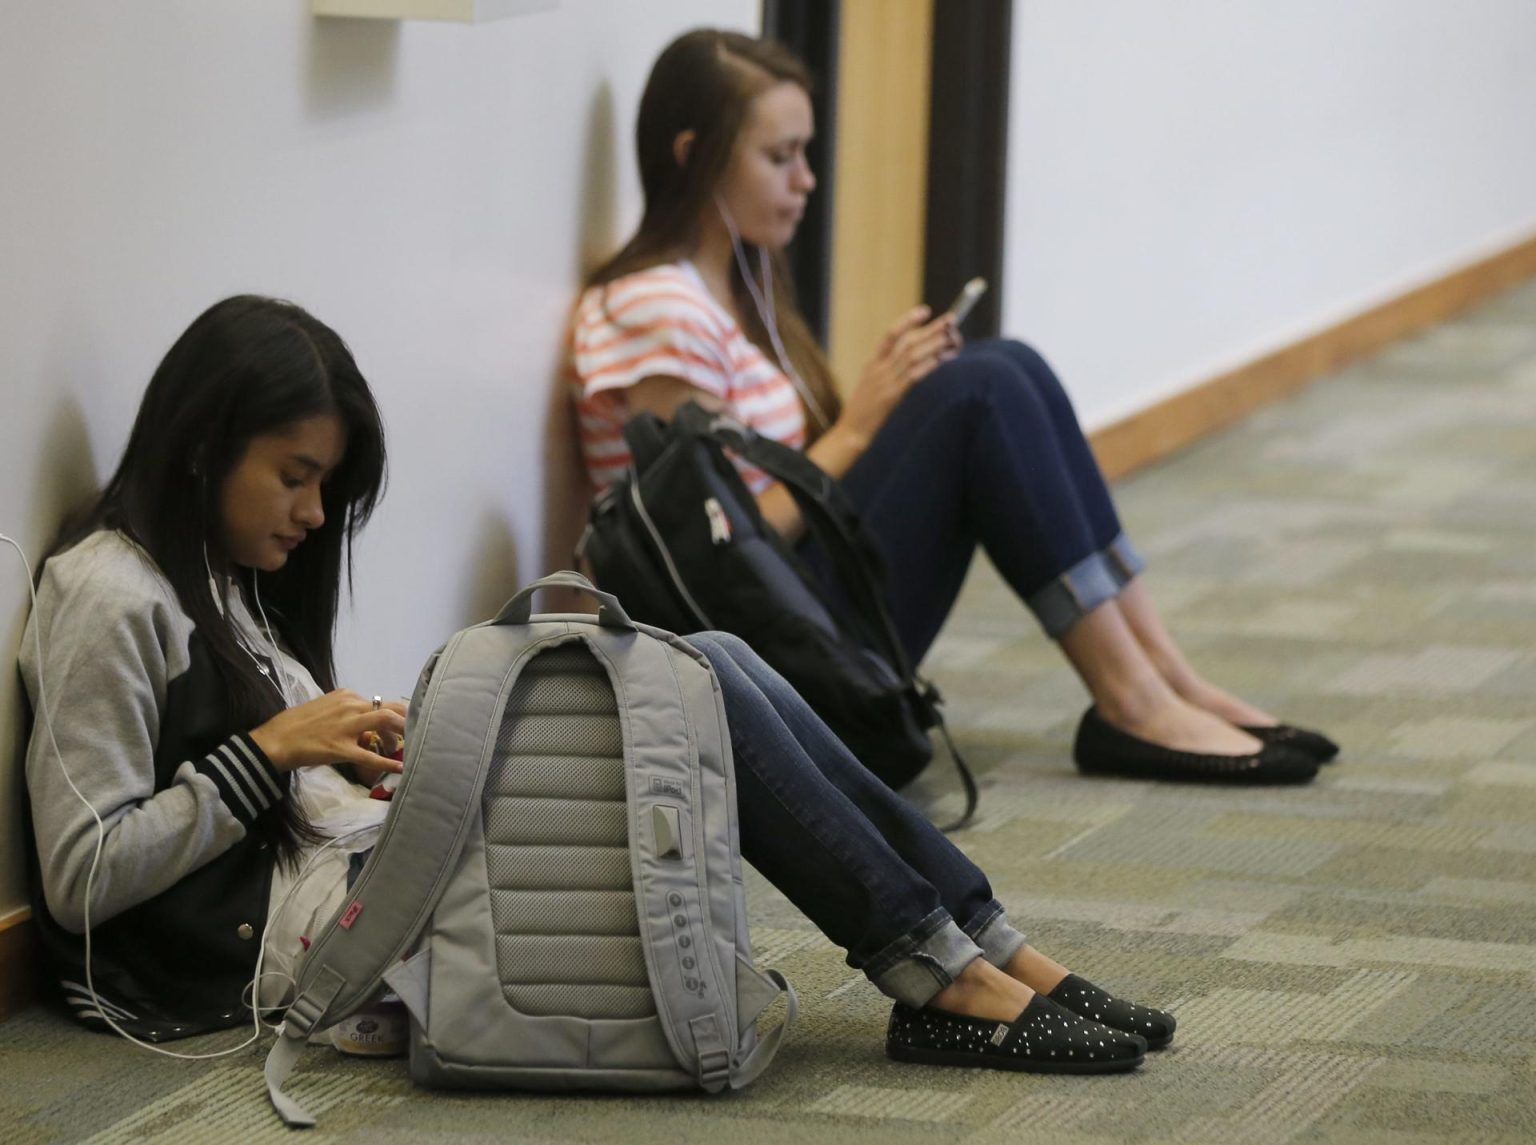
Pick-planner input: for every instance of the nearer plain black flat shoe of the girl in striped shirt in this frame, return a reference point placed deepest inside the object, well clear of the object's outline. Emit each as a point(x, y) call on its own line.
point(1104, 749)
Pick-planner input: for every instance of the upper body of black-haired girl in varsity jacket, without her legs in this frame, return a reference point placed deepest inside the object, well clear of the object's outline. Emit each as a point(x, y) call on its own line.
point(188, 629)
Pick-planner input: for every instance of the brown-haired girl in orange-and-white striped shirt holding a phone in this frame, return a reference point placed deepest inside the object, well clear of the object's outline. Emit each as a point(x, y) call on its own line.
point(942, 448)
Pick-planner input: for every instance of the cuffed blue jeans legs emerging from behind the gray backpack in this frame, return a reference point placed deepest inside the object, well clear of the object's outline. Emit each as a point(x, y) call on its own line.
point(867, 869)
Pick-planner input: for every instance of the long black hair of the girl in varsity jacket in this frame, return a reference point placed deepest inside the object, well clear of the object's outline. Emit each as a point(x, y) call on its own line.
point(247, 368)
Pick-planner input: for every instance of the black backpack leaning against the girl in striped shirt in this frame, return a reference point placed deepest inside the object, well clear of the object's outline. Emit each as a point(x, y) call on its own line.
point(683, 543)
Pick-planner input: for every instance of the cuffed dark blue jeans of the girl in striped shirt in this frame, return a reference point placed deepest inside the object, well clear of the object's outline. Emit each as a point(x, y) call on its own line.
point(987, 451)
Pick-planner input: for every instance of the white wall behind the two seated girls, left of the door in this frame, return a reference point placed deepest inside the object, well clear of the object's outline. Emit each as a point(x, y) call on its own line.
point(428, 190)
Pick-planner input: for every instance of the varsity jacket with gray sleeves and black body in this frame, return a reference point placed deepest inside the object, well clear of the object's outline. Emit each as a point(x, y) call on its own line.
point(141, 725)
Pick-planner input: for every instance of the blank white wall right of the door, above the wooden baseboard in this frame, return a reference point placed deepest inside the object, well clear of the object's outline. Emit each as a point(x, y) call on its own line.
point(1194, 184)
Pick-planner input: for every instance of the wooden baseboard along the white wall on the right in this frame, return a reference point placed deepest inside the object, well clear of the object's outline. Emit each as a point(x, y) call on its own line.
point(1208, 407)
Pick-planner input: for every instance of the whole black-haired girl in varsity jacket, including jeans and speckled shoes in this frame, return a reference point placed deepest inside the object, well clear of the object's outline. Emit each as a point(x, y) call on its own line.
point(180, 666)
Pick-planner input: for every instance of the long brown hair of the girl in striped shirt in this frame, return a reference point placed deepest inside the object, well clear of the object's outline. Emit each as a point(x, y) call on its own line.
point(704, 82)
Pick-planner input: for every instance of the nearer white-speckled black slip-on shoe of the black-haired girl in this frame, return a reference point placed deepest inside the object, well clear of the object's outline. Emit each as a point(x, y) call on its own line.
point(1045, 1038)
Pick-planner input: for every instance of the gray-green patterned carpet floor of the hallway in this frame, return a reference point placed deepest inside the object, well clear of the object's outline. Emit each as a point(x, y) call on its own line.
point(1351, 961)
